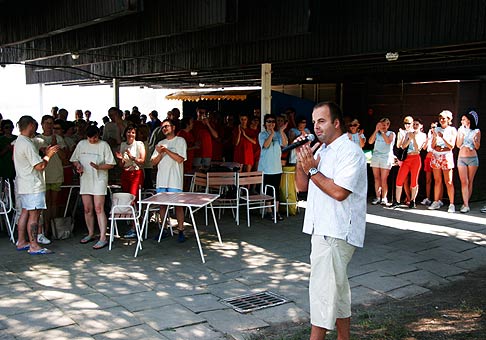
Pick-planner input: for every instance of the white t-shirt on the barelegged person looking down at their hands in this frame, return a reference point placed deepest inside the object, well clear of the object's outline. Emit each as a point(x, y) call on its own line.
point(92, 181)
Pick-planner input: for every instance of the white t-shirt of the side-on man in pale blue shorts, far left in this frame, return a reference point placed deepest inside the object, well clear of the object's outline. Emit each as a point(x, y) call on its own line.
point(26, 156)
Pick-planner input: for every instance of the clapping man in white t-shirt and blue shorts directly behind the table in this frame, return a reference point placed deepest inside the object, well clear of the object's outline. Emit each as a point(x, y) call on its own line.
point(169, 156)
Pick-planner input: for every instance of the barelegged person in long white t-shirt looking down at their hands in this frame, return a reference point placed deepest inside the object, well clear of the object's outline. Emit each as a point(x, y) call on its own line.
point(92, 159)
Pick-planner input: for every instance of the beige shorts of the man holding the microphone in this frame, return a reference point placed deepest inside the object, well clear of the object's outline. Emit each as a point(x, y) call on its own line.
point(329, 291)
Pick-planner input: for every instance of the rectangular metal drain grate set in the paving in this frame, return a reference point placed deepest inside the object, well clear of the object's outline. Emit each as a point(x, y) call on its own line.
point(250, 302)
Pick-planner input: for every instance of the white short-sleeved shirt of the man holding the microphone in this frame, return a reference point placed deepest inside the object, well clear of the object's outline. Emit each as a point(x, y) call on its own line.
point(344, 162)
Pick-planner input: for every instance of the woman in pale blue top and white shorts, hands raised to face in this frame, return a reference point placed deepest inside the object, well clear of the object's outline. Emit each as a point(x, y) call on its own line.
point(382, 159)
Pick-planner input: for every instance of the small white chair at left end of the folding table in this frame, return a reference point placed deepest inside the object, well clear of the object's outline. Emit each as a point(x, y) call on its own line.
point(123, 209)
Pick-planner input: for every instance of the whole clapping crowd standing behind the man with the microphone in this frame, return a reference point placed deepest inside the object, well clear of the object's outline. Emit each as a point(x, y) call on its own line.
point(132, 149)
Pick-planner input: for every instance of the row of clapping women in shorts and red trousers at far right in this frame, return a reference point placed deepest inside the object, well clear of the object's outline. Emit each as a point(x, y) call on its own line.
point(403, 149)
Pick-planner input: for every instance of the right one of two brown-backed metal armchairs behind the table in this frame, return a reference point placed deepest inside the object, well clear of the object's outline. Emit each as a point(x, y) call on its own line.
point(267, 198)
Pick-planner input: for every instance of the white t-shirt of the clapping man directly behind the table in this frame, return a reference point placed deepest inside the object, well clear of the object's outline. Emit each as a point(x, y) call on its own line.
point(170, 174)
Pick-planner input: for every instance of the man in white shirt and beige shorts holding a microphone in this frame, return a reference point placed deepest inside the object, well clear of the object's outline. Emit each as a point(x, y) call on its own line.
point(336, 181)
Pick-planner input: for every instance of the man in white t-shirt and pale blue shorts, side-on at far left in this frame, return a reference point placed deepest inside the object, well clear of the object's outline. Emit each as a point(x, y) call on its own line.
point(31, 186)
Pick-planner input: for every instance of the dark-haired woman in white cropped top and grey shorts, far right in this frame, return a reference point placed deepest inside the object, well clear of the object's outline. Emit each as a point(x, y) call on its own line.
point(468, 141)
